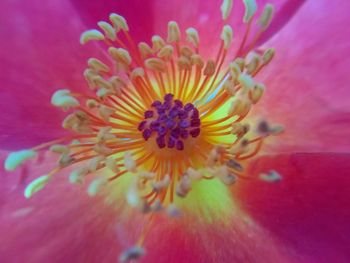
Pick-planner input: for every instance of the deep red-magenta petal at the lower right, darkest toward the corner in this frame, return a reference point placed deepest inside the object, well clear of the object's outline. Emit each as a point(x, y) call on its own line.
point(309, 208)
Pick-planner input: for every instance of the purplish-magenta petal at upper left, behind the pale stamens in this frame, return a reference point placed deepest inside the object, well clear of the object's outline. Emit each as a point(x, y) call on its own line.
point(40, 53)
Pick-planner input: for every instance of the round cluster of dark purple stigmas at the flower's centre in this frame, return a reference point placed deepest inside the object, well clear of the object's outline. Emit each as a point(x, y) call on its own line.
point(171, 122)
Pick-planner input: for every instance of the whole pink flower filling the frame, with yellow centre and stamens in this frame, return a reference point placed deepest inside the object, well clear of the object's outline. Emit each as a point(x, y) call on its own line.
point(289, 205)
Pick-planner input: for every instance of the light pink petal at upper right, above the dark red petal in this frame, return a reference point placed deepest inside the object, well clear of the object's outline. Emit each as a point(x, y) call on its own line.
point(308, 80)
